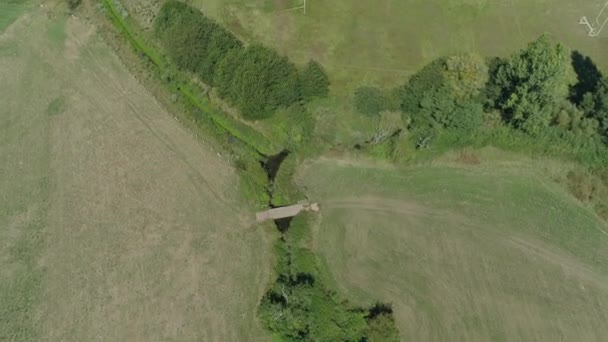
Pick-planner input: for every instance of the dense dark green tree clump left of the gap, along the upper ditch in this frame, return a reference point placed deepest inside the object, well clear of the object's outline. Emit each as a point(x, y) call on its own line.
point(255, 79)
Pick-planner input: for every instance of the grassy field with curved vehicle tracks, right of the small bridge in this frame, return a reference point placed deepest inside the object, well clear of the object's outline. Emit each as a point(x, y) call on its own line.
point(487, 252)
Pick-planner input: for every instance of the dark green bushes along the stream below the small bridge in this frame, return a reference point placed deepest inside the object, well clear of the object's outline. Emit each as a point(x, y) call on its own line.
point(300, 307)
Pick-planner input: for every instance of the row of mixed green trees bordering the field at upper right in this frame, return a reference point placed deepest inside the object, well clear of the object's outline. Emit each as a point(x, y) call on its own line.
point(544, 89)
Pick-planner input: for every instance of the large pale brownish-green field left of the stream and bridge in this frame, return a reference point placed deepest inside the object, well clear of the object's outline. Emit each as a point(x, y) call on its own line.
point(116, 224)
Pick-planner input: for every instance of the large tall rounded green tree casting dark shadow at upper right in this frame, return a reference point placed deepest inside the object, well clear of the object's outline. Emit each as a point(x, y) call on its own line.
point(531, 84)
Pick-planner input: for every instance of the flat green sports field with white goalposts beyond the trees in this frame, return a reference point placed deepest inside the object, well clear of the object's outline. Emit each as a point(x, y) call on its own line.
point(381, 42)
